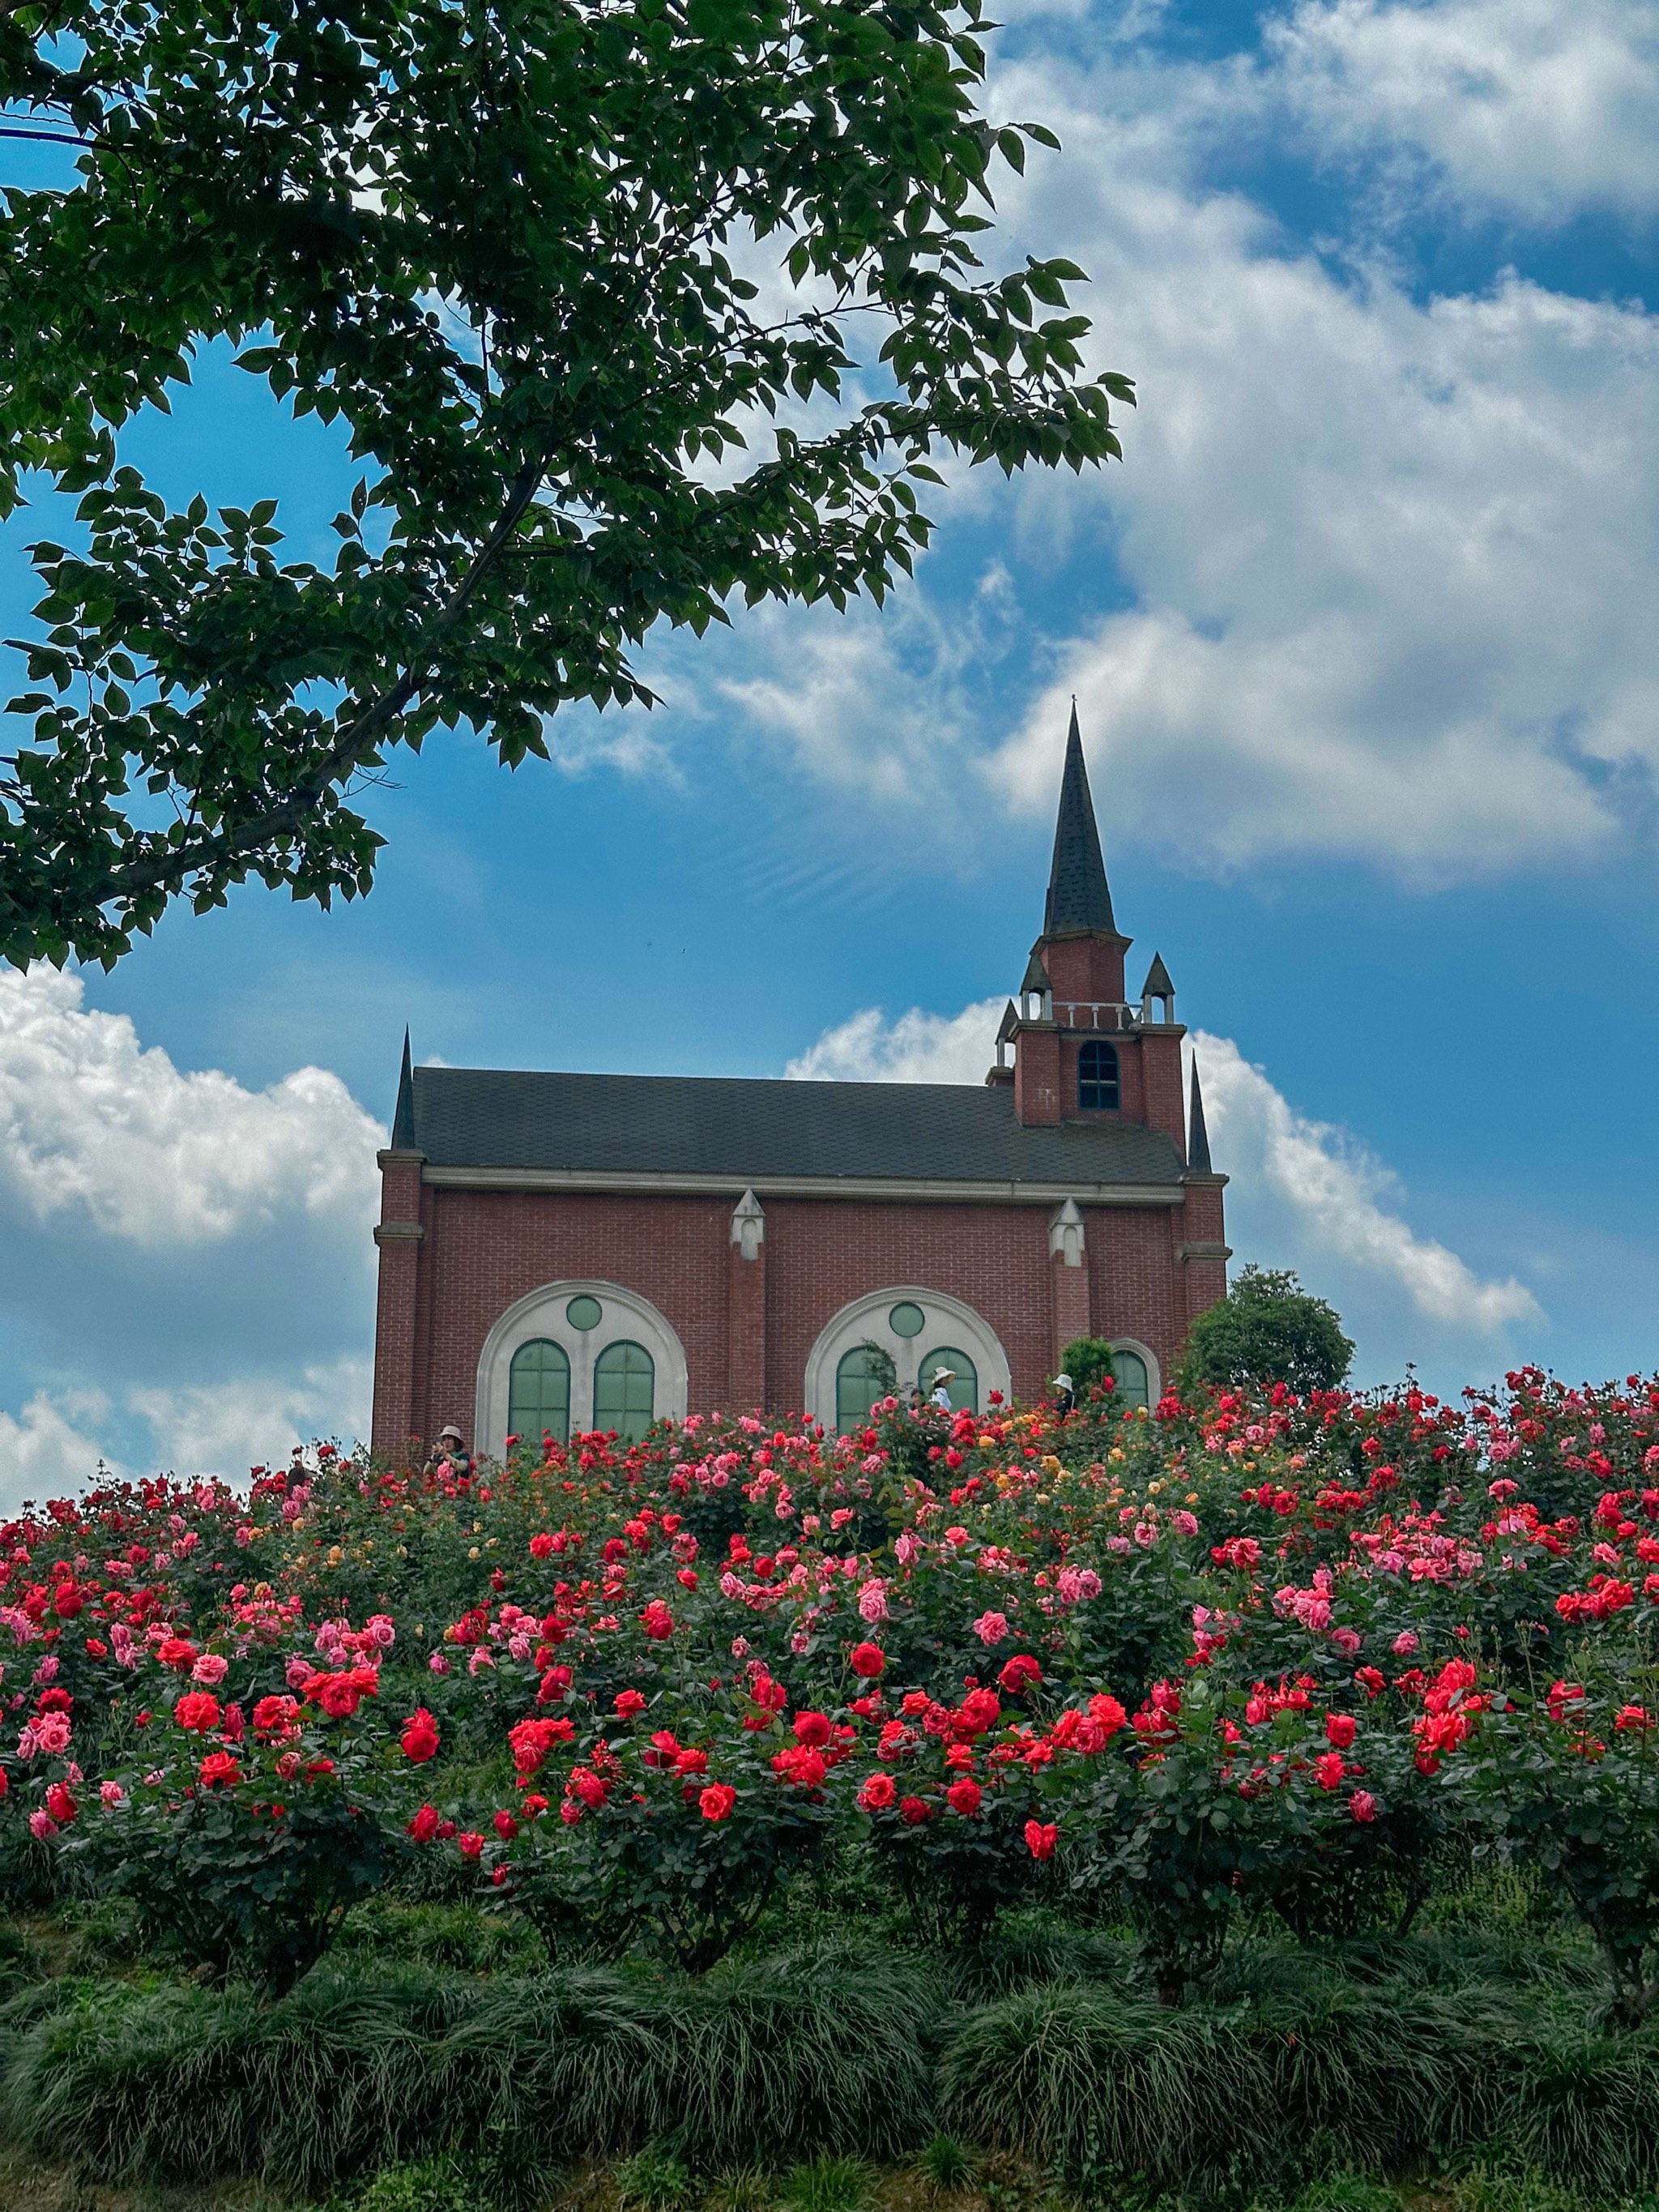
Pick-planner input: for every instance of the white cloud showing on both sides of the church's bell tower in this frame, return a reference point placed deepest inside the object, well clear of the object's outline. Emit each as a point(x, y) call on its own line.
point(1304, 1185)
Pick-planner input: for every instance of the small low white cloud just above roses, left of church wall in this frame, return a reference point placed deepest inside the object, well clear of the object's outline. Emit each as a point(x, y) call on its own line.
point(229, 1428)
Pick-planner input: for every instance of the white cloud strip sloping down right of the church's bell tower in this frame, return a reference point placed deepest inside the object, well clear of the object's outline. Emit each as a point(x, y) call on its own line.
point(1335, 1196)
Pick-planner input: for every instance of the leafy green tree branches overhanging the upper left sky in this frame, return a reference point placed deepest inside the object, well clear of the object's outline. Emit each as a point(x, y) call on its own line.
point(632, 309)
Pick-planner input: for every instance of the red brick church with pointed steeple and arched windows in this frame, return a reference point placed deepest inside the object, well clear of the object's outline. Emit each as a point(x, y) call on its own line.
point(594, 1251)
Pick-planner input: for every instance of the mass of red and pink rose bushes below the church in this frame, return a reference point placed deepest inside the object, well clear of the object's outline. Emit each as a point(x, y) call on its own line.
point(1251, 1656)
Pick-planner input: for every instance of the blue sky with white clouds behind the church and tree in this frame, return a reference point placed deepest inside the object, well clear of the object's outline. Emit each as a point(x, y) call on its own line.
point(1368, 674)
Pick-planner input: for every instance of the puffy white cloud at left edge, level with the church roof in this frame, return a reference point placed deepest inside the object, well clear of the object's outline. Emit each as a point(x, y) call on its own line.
point(101, 1129)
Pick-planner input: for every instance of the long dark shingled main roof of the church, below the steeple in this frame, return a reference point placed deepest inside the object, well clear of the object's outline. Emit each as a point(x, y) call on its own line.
point(755, 1129)
